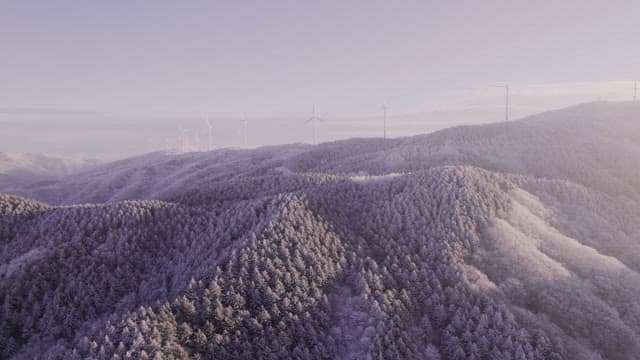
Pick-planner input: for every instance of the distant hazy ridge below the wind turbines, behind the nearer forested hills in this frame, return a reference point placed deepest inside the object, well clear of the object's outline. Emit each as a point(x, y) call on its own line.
point(505, 147)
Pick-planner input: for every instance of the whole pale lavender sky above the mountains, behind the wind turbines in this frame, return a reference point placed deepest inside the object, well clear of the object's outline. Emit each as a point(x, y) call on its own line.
point(79, 77)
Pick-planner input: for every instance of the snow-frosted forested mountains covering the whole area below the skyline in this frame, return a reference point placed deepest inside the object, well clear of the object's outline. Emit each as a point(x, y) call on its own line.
point(516, 240)
